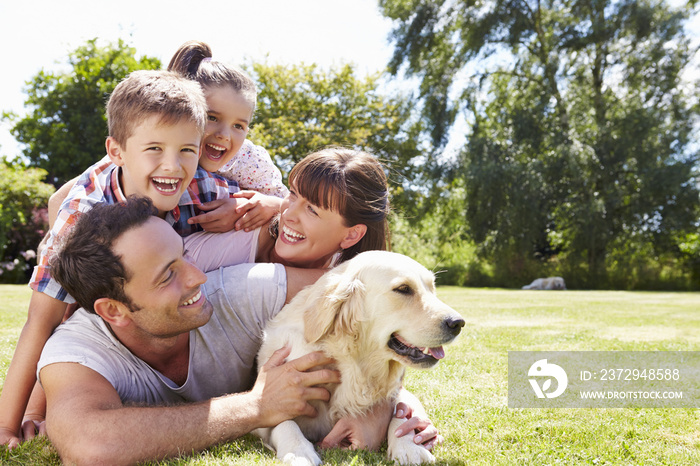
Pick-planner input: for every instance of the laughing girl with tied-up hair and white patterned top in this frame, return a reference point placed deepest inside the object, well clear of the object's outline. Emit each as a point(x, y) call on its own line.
point(231, 97)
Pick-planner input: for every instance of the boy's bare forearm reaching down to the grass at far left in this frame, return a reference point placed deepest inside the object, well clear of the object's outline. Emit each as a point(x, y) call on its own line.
point(44, 315)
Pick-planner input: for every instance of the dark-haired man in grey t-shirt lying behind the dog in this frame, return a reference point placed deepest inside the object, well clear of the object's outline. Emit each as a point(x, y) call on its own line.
point(151, 333)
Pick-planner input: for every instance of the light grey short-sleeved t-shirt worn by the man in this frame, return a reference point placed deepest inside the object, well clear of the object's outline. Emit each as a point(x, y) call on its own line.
point(222, 352)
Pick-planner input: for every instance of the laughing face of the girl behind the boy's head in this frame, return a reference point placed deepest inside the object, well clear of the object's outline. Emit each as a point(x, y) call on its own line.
point(227, 126)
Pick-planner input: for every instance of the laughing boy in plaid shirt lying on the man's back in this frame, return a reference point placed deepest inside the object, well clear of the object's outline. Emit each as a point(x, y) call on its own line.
point(156, 122)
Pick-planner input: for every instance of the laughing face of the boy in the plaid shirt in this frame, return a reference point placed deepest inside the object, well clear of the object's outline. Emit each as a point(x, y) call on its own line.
point(158, 161)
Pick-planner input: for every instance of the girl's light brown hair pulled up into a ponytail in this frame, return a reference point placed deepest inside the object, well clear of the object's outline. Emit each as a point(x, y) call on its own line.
point(193, 60)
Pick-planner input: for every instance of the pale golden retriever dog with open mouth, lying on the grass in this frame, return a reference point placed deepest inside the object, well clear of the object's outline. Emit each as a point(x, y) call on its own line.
point(375, 314)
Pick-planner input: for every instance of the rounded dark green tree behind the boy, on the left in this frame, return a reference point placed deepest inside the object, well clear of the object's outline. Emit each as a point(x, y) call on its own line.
point(65, 130)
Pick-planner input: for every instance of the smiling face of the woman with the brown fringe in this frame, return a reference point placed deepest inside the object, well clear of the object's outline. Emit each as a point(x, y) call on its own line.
point(309, 235)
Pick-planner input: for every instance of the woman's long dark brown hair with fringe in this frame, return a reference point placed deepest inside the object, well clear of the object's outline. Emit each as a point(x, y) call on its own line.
point(351, 183)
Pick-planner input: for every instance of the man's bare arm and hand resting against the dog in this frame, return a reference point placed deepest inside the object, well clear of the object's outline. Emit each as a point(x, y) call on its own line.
point(87, 421)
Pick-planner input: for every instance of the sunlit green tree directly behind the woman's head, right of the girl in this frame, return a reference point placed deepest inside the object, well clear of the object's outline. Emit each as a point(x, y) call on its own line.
point(303, 108)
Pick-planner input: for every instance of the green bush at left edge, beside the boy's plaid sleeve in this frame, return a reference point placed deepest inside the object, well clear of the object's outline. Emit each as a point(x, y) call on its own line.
point(23, 222)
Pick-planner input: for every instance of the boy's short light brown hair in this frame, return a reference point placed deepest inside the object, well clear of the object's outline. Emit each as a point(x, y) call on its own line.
point(145, 93)
